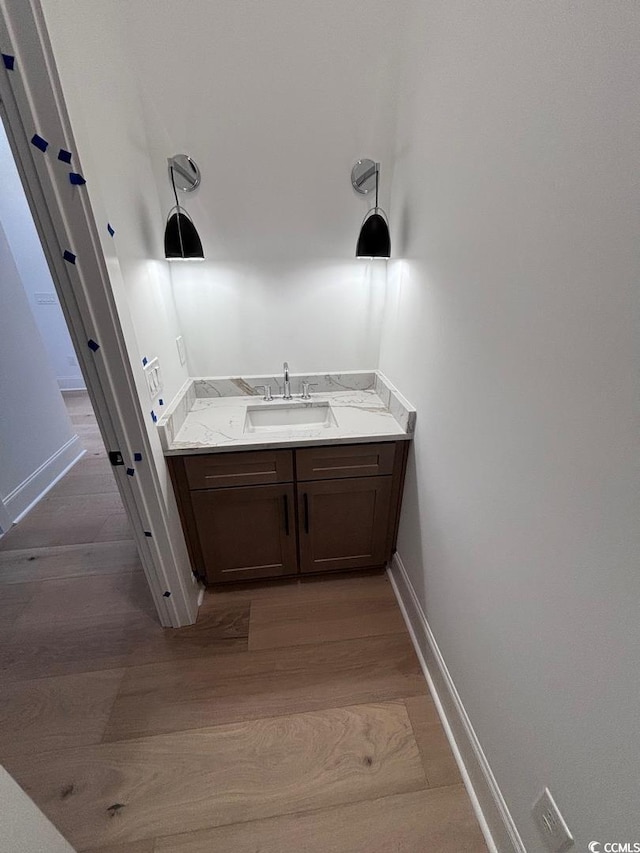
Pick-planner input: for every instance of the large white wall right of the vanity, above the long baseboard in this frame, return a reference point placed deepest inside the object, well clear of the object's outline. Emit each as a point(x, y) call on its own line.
point(512, 326)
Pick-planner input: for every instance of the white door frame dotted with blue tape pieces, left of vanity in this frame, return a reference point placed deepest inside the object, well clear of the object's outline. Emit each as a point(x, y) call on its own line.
point(32, 101)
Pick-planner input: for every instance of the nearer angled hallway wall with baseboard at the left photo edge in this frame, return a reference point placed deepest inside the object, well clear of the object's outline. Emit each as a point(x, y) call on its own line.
point(37, 441)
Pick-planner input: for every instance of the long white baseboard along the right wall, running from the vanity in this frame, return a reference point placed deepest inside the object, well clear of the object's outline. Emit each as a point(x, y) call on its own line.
point(491, 809)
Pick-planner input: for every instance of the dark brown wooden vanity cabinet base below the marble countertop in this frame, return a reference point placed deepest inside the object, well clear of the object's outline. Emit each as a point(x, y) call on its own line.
point(268, 514)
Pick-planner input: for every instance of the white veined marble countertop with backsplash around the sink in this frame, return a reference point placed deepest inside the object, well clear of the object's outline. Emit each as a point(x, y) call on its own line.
point(207, 416)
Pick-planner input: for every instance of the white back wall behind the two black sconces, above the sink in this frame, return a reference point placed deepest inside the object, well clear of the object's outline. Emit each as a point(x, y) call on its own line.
point(275, 102)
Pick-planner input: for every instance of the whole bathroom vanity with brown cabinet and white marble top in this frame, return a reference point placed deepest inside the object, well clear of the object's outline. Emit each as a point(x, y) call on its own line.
point(274, 488)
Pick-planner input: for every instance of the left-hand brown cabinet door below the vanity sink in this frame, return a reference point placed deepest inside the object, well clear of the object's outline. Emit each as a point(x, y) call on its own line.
point(247, 532)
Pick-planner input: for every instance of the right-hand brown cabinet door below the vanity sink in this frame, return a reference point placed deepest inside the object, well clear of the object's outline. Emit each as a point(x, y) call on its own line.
point(343, 524)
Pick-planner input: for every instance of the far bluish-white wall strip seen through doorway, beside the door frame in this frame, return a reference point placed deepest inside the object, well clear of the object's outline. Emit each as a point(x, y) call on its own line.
point(21, 234)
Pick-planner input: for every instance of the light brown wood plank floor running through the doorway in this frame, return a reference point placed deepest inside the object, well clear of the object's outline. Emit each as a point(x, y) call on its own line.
point(291, 717)
